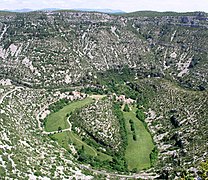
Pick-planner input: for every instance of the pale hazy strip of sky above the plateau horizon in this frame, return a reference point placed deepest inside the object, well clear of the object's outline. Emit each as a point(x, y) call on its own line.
point(125, 5)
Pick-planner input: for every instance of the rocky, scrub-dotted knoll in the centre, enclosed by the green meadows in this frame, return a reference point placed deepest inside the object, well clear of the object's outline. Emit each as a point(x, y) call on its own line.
point(99, 122)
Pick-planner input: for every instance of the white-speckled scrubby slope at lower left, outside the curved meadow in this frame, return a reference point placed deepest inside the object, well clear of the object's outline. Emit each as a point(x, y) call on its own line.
point(24, 151)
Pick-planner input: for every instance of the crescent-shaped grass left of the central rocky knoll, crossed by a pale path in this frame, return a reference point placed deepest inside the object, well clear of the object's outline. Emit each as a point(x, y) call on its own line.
point(59, 119)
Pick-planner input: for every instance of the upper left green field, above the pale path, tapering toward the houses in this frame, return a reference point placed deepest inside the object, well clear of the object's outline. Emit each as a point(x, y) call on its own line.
point(59, 119)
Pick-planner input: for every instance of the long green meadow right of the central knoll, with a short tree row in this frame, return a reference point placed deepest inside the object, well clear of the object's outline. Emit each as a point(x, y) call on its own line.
point(137, 152)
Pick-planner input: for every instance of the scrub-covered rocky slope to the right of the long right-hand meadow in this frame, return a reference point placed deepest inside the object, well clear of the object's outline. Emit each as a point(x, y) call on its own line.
point(177, 119)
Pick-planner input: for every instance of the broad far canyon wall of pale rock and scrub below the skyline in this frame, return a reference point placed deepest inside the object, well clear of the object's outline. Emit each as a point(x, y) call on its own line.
point(62, 48)
